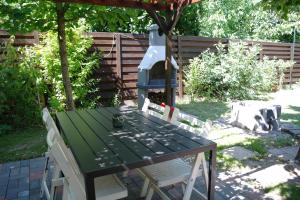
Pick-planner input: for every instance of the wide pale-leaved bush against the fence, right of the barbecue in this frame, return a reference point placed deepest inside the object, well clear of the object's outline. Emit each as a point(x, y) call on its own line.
point(235, 73)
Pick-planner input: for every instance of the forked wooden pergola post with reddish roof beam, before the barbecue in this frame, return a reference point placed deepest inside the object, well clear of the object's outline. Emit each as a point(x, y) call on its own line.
point(173, 9)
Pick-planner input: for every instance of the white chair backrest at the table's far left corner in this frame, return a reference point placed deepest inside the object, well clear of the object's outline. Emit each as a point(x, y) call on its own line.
point(53, 132)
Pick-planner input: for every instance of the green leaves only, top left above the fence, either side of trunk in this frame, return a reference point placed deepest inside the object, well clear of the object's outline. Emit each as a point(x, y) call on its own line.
point(40, 15)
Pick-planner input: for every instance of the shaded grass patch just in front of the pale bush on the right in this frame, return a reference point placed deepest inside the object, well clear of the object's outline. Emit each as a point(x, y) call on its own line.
point(204, 109)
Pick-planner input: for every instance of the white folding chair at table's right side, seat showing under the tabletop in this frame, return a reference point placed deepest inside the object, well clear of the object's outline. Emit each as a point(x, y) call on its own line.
point(173, 171)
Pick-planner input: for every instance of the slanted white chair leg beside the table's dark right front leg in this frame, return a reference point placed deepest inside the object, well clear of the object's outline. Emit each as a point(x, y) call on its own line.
point(192, 178)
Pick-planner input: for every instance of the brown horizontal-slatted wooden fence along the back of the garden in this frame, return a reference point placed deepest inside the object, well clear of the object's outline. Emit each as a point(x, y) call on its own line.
point(122, 53)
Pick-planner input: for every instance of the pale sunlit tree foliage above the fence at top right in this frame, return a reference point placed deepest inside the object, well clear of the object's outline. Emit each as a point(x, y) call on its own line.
point(241, 19)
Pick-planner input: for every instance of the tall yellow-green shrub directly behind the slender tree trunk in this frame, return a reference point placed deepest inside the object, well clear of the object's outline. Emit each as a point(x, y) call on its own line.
point(82, 63)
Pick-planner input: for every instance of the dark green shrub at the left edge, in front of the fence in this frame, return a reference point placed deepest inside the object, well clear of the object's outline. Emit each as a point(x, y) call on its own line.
point(18, 90)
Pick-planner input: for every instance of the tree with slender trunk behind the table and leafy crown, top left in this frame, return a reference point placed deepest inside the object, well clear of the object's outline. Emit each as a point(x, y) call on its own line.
point(29, 15)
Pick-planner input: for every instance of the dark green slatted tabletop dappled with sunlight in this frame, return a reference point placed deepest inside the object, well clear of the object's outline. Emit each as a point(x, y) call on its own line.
point(101, 149)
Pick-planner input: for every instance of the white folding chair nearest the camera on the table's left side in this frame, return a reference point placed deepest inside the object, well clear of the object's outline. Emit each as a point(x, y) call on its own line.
point(106, 188)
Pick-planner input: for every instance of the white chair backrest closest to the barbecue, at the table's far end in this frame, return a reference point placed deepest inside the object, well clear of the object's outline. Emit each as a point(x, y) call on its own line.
point(156, 110)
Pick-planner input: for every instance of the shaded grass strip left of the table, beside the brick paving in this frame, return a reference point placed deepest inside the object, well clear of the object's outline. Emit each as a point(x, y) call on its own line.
point(22, 144)
